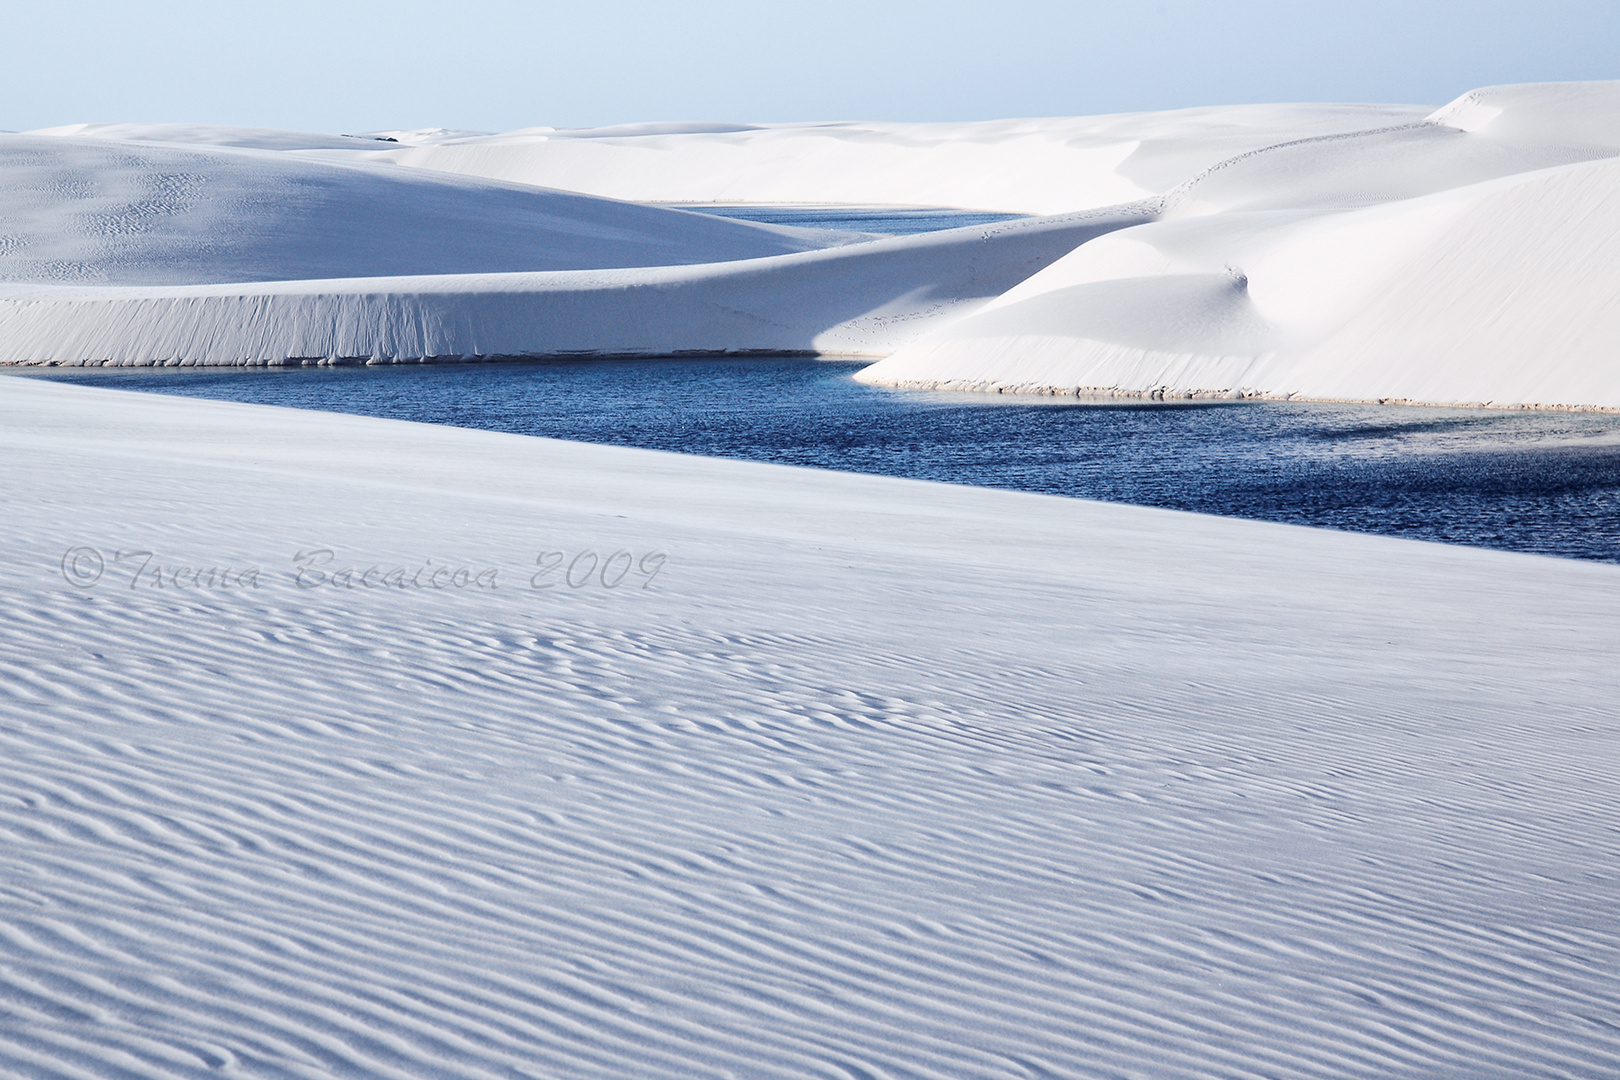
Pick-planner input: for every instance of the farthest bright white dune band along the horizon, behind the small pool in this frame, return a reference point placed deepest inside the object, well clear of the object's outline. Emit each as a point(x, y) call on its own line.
point(1049, 166)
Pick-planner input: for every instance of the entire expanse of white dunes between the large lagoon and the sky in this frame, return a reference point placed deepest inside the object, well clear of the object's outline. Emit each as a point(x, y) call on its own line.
point(1465, 255)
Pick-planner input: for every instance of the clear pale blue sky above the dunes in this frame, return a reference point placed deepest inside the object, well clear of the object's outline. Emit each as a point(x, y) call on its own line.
point(500, 64)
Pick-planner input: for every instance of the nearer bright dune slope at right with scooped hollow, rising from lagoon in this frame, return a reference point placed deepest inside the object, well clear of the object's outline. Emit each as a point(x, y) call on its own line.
point(1499, 294)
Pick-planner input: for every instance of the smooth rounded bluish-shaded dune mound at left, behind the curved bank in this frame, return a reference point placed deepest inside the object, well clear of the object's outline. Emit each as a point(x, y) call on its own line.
point(134, 215)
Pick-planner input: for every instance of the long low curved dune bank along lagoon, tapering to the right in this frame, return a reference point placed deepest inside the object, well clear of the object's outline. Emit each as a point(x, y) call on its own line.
point(861, 300)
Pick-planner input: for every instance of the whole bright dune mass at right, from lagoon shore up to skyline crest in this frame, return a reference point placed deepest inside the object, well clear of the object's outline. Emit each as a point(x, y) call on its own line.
point(1459, 261)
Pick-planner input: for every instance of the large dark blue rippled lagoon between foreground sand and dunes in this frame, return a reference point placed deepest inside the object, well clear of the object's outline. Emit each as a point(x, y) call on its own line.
point(1525, 482)
